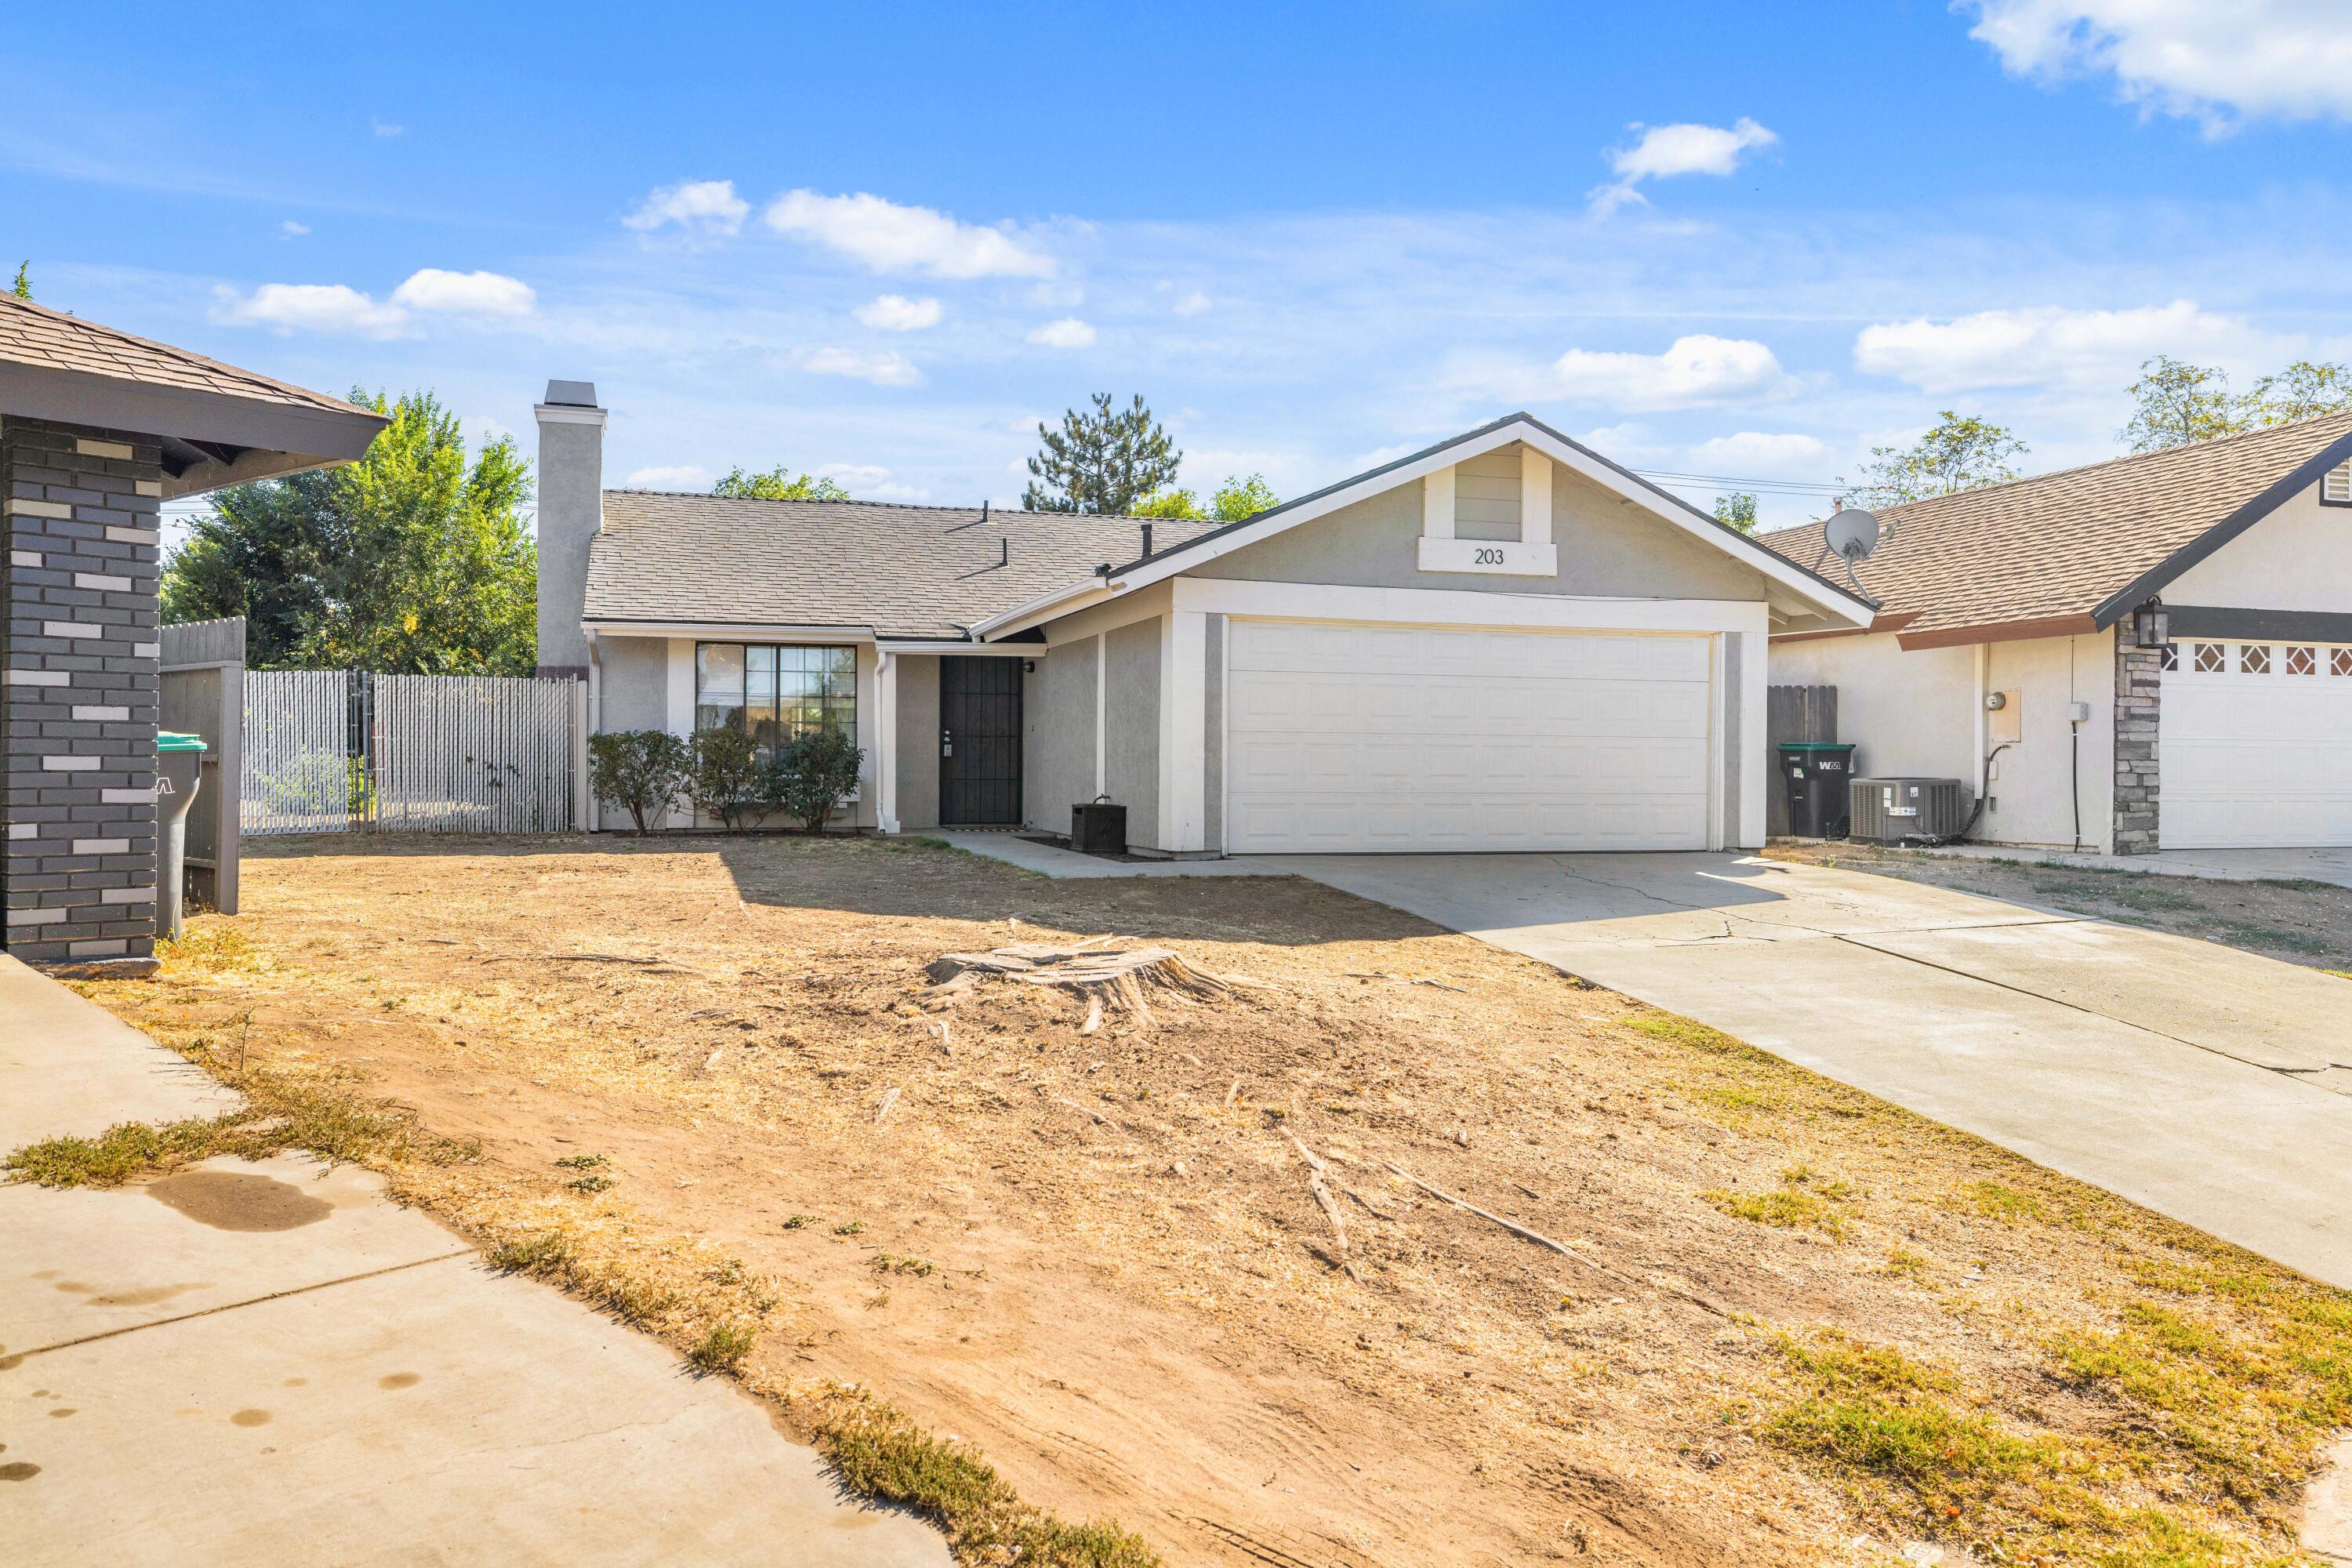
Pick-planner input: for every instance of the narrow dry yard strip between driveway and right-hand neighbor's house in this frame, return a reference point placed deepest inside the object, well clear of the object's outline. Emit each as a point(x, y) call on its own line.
point(2297, 920)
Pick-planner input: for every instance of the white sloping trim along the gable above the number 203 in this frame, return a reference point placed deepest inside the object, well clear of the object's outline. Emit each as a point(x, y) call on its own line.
point(1518, 429)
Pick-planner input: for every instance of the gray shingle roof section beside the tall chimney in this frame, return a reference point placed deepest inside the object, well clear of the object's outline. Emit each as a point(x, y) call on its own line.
point(900, 570)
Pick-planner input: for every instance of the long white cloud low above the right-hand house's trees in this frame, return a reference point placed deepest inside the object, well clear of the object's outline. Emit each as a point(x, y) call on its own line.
point(2047, 344)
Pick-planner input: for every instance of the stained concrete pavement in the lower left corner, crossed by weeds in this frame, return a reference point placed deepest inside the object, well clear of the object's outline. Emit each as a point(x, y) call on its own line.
point(272, 1365)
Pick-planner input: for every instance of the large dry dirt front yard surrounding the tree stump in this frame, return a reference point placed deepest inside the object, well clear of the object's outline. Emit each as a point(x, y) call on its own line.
point(1791, 1325)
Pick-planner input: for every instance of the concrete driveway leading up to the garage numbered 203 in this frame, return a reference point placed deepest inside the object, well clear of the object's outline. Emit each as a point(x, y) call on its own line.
point(2198, 1080)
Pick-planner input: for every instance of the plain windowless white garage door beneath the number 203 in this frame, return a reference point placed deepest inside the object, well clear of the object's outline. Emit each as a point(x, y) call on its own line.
point(1389, 737)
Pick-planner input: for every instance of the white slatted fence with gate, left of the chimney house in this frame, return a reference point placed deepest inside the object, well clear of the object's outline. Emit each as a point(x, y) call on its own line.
point(338, 751)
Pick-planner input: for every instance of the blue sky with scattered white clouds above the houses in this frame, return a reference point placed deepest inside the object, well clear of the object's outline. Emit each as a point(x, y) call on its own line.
point(883, 243)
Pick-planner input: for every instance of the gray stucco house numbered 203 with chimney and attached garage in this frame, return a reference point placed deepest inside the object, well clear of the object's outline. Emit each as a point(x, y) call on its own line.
point(1499, 643)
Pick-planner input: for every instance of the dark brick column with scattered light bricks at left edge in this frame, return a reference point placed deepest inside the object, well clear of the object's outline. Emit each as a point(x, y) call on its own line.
point(79, 692)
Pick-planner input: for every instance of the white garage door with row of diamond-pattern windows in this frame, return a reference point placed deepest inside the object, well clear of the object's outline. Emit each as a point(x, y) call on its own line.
point(2257, 746)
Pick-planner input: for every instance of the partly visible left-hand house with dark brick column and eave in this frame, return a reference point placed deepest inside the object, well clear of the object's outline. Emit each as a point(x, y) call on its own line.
point(98, 431)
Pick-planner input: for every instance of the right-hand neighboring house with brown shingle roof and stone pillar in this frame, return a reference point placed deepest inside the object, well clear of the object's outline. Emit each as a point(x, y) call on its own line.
point(2170, 638)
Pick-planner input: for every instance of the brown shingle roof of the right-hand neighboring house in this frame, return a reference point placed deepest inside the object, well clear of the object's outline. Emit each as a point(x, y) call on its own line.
point(2069, 544)
